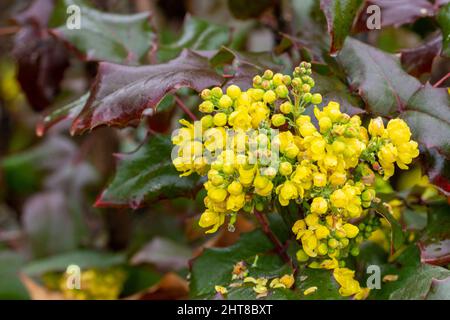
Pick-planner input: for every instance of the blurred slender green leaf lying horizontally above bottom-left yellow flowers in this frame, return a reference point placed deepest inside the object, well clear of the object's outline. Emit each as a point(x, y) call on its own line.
point(82, 258)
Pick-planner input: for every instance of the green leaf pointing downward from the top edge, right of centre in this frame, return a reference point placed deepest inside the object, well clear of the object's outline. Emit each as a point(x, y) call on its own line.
point(340, 15)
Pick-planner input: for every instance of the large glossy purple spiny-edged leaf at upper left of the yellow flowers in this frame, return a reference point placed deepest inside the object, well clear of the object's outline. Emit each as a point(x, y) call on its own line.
point(121, 93)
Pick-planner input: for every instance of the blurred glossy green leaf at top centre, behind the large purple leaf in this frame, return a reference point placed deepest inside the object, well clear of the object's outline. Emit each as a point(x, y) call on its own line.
point(196, 35)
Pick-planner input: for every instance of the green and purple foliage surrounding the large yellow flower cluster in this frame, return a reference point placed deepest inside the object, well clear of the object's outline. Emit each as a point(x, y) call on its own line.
point(128, 222)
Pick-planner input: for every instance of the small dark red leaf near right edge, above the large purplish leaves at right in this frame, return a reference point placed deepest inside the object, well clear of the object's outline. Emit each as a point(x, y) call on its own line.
point(419, 60)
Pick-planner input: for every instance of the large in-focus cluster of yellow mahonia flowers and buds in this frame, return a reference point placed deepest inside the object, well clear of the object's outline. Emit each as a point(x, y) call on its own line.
point(259, 150)
